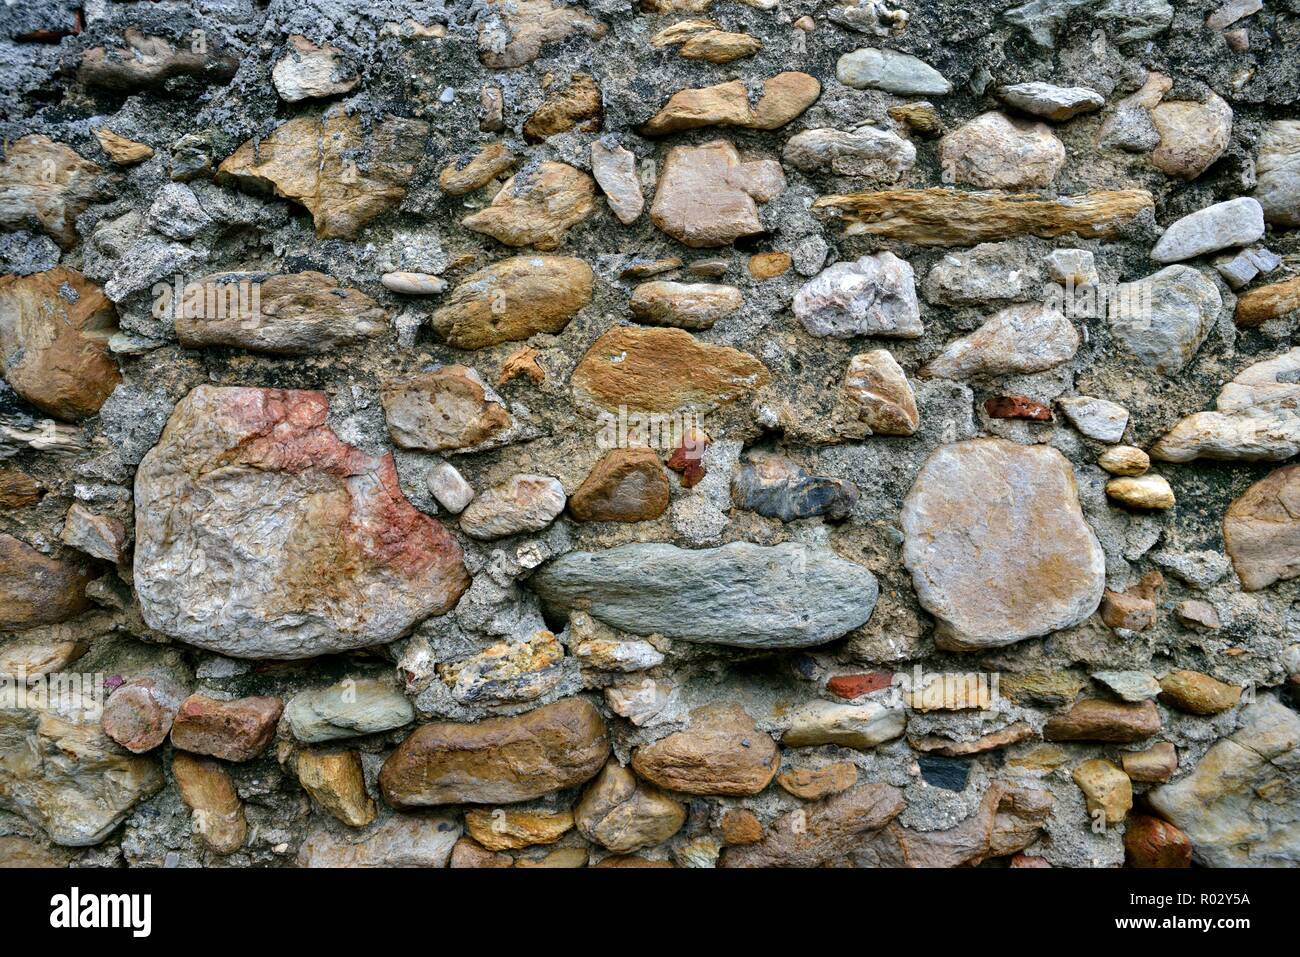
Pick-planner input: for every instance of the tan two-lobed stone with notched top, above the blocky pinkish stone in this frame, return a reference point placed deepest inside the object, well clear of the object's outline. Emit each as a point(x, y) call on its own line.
point(727, 105)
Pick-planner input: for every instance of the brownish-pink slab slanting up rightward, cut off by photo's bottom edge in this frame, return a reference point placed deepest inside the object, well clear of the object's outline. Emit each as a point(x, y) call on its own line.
point(831, 829)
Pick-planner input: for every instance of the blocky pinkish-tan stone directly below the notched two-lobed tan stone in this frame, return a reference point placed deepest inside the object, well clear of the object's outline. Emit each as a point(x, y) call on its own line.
point(708, 197)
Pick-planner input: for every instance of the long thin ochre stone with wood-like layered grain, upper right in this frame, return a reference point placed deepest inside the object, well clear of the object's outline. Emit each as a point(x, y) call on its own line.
point(961, 218)
